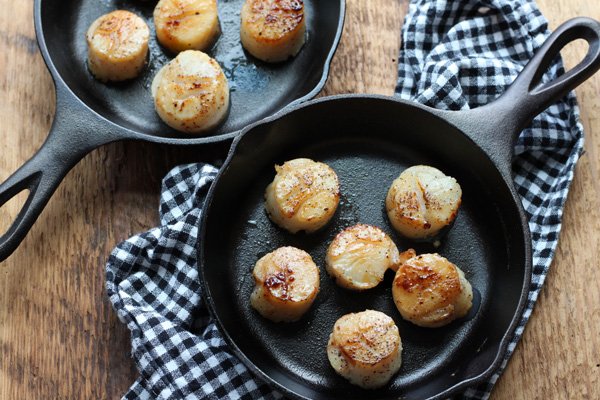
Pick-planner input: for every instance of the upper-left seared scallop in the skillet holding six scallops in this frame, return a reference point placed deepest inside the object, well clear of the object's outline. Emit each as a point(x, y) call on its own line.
point(303, 196)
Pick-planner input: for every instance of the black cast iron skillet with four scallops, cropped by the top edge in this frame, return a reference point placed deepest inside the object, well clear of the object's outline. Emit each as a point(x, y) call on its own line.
point(90, 114)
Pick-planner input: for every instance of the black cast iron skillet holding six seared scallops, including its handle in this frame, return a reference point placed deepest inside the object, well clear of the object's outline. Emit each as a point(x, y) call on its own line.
point(369, 140)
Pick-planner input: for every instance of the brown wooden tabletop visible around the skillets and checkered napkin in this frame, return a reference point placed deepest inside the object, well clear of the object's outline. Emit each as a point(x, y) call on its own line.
point(60, 339)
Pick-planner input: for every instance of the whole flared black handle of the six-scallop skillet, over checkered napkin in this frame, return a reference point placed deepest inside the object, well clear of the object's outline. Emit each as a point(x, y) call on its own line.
point(495, 127)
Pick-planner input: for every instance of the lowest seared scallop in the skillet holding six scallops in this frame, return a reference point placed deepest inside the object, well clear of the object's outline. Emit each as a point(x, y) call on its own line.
point(365, 348)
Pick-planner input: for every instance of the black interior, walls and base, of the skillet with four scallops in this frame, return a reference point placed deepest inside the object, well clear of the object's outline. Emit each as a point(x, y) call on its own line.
point(257, 89)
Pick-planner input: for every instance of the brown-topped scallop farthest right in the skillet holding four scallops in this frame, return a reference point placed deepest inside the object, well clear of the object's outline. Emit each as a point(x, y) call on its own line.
point(273, 30)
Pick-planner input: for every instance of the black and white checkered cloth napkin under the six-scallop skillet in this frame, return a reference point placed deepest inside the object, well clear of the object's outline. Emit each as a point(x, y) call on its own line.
point(456, 54)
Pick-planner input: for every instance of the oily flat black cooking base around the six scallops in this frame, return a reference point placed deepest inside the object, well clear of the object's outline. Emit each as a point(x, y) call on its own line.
point(365, 169)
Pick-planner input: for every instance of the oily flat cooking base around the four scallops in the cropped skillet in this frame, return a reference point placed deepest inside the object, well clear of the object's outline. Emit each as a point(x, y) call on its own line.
point(257, 88)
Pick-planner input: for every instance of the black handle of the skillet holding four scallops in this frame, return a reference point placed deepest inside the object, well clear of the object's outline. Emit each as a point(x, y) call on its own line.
point(72, 136)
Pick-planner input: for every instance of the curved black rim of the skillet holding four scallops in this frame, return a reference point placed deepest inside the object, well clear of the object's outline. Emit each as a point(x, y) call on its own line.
point(62, 89)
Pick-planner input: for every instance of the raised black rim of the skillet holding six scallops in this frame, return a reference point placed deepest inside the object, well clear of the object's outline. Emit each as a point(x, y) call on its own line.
point(445, 116)
